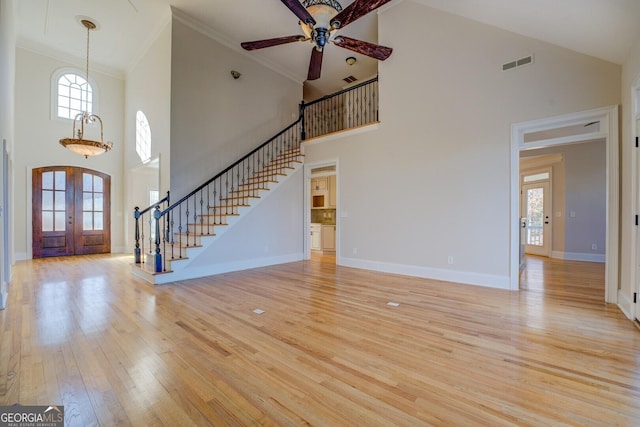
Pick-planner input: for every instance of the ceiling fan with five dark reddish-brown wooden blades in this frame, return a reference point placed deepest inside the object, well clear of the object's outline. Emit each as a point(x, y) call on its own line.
point(318, 19)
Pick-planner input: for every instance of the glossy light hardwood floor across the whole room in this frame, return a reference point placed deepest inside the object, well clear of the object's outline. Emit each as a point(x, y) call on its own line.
point(327, 351)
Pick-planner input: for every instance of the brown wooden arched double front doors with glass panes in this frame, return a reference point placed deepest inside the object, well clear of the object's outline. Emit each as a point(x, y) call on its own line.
point(71, 211)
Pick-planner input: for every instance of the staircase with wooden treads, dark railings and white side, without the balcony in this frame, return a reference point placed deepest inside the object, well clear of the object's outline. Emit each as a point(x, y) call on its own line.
point(170, 237)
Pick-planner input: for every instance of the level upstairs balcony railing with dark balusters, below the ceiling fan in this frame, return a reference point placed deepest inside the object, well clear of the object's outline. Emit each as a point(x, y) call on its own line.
point(346, 109)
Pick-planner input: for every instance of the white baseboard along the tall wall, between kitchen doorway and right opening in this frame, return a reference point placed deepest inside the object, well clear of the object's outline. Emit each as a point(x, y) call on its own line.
point(477, 279)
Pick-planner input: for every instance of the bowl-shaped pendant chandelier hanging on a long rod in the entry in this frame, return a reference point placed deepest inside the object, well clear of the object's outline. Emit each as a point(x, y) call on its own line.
point(77, 143)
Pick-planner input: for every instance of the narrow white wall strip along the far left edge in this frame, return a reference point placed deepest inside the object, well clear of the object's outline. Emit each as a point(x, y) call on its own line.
point(7, 79)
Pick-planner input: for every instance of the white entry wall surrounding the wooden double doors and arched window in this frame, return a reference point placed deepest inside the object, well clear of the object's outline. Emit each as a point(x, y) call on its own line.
point(37, 135)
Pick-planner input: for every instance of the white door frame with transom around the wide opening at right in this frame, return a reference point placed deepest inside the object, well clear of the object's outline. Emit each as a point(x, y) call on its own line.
point(609, 131)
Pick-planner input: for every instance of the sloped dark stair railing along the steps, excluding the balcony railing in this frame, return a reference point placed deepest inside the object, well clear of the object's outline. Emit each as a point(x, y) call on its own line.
point(209, 205)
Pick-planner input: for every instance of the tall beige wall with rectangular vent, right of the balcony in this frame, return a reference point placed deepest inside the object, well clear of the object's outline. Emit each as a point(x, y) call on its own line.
point(433, 181)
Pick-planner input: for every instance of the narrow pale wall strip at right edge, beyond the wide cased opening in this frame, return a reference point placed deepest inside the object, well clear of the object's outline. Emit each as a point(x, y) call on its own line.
point(629, 188)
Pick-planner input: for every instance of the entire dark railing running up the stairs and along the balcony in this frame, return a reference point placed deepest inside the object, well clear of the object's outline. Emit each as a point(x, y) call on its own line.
point(181, 224)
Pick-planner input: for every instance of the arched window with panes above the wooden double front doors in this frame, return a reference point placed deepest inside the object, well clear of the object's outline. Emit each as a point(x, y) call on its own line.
point(74, 95)
